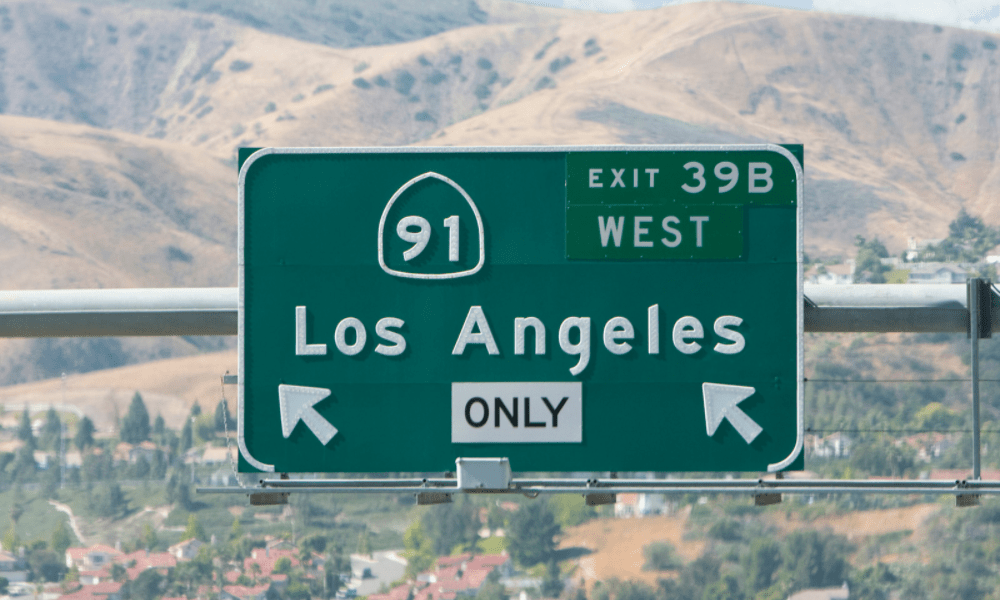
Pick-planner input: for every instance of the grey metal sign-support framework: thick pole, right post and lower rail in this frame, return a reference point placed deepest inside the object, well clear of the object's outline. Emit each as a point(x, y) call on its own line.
point(844, 308)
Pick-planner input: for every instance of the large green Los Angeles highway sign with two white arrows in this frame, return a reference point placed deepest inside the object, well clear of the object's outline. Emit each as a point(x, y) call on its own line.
point(632, 308)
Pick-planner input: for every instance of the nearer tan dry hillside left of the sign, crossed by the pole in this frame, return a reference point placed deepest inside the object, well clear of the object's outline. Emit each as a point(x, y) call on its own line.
point(87, 208)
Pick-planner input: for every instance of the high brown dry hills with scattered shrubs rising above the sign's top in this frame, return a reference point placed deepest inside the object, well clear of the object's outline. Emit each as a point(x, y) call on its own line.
point(899, 120)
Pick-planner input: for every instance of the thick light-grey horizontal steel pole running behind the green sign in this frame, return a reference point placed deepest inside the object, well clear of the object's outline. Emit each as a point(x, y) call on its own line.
point(213, 311)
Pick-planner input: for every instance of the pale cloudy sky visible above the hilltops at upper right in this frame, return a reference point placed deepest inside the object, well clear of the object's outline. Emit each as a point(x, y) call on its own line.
point(968, 14)
